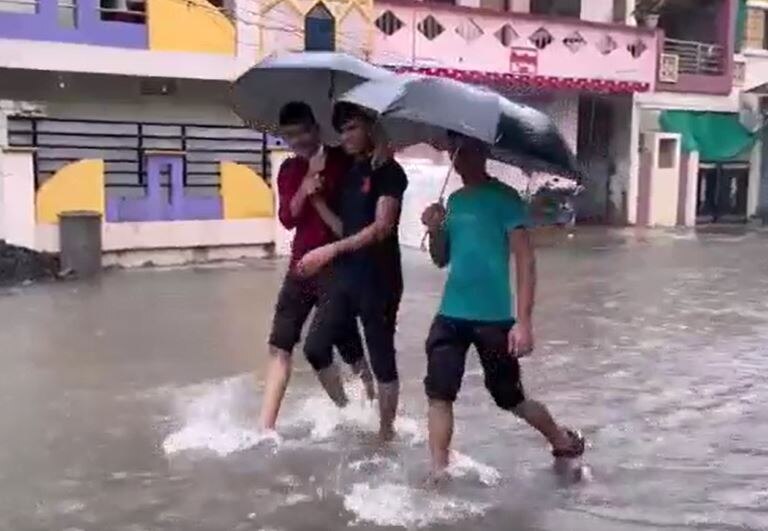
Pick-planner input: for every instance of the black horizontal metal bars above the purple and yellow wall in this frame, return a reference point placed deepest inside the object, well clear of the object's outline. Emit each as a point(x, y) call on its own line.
point(124, 147)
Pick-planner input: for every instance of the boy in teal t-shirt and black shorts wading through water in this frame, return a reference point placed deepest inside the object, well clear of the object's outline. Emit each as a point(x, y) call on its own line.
point(485, 222)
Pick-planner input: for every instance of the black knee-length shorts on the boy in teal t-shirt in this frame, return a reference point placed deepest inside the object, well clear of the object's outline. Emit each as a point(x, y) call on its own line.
point(447, 345)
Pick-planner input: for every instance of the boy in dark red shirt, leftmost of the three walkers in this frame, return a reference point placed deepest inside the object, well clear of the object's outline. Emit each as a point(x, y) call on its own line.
point(308, 186)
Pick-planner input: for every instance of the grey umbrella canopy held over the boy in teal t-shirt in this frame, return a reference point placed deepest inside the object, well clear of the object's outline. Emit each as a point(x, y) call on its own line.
point(421, 109)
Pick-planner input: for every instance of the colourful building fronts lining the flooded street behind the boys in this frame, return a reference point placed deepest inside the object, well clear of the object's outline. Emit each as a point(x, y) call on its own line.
point(122, 106)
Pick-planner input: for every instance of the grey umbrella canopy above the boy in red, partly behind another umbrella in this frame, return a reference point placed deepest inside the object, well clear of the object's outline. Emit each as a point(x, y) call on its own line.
point(315, 78)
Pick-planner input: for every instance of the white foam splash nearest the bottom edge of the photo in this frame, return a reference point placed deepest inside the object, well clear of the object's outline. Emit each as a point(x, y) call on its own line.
point(391, 504)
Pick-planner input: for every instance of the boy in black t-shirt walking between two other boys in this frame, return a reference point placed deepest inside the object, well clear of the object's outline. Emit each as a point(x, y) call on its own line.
point(367, 274)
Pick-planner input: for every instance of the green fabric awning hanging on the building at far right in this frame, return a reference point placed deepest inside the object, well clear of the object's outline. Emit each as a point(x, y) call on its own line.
point(717, 136)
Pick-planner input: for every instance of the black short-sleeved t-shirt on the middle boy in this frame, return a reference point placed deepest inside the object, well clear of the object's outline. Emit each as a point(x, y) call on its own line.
point(361, 189)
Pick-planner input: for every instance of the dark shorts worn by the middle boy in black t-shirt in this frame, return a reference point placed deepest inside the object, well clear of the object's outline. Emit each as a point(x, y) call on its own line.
point(376, 305)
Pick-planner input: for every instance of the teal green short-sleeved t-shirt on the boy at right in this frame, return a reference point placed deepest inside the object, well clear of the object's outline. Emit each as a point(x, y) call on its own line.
point(478, 221)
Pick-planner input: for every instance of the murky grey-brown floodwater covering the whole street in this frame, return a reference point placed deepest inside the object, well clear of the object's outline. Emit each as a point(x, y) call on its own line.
point(130, 405)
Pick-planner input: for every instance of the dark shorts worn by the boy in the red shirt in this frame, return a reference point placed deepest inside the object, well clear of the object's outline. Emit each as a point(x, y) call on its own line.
point(294, 303)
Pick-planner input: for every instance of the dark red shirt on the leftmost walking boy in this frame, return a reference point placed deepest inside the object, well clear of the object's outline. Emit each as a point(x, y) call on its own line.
point(311, 230)
